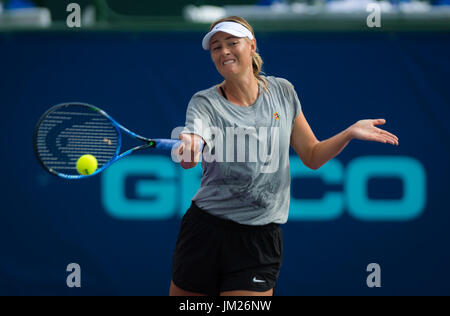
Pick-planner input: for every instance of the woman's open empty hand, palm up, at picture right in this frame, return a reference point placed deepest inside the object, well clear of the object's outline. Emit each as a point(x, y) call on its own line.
point(366, 130)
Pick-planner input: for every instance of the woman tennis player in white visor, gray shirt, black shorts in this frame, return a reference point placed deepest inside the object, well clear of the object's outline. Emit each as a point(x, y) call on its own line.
point(230, 240)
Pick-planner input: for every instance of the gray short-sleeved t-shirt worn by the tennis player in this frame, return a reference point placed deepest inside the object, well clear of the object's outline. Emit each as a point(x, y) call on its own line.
point(245, 162)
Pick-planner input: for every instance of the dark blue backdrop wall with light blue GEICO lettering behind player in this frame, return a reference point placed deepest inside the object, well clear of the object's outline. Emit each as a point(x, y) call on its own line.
point(374, 203)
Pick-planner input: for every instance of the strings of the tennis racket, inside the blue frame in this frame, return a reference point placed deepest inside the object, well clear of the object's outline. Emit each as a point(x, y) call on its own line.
point(71, 131)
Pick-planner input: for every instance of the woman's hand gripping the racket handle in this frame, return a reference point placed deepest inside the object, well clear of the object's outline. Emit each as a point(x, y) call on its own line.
point(189, 151)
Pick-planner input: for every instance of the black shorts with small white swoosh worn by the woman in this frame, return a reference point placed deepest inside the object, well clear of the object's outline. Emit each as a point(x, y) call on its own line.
point(214, 255)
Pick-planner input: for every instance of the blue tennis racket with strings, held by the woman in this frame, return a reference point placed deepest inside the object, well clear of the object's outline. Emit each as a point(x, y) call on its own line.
point(68, 131)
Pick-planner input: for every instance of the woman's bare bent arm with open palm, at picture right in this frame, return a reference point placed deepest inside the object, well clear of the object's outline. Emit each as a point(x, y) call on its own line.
point(315, 154)
